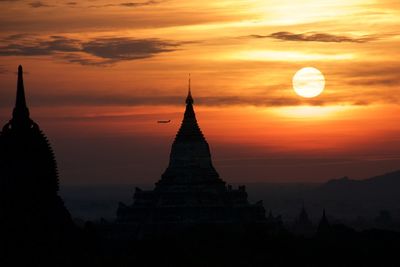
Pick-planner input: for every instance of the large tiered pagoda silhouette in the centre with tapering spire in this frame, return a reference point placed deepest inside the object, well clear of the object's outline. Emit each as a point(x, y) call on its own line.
point(190, 190)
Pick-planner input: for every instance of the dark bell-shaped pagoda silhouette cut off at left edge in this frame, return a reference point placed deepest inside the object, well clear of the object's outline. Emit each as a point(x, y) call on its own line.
point(29, 203)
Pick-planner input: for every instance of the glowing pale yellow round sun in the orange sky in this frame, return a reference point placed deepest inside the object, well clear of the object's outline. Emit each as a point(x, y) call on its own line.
point(308, 82)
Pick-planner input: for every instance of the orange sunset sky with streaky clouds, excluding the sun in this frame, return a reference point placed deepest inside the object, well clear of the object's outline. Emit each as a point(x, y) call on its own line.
point(99, 74)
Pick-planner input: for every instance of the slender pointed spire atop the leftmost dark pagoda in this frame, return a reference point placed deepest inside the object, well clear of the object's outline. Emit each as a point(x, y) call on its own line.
point(21, 111)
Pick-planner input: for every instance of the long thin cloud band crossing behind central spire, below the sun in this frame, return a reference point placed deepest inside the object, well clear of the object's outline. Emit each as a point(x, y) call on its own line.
point(86, 99)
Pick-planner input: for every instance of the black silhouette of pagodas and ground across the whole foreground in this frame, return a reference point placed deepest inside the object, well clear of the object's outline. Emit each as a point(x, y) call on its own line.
point(37, 230)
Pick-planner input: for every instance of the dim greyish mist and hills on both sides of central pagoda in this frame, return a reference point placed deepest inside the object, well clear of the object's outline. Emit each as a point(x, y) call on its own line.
point(358, 202)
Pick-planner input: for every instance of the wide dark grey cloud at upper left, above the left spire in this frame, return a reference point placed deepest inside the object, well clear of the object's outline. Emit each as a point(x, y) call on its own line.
point(98, 51)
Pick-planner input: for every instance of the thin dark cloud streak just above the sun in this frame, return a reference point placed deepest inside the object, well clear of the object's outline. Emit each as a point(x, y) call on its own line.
point(315, 37)
